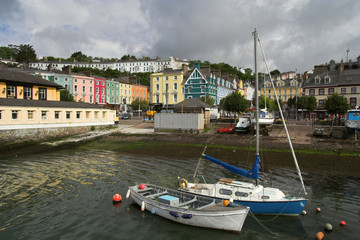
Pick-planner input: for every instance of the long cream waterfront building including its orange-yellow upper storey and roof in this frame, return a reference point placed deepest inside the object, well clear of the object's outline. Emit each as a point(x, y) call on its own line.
point(30, 102)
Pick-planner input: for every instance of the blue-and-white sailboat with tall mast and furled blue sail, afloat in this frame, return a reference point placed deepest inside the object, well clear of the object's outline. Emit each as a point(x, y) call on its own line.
point(260, 199)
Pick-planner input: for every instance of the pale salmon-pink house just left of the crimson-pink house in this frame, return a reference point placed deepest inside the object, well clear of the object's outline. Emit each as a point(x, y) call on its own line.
point(83, 88)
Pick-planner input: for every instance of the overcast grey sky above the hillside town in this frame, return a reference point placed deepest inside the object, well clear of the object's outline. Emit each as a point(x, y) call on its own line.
point(295, 34)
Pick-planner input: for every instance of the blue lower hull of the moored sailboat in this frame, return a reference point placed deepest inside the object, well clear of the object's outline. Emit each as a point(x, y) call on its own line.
point(283, 208)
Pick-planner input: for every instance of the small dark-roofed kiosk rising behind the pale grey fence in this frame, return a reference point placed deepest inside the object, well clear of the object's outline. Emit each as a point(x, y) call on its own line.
point(194, 105)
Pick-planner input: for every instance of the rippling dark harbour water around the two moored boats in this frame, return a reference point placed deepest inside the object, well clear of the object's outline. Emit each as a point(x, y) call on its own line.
point(68, 195)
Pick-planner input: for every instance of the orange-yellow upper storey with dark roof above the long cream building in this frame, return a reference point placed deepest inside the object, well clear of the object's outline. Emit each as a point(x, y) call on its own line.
point(19, 85)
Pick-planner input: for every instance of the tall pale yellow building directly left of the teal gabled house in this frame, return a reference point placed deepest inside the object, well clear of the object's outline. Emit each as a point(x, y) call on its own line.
point(167, 87)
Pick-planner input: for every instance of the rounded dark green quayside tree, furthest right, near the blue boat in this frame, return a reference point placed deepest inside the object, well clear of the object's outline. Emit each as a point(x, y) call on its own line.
point(336, 104)
